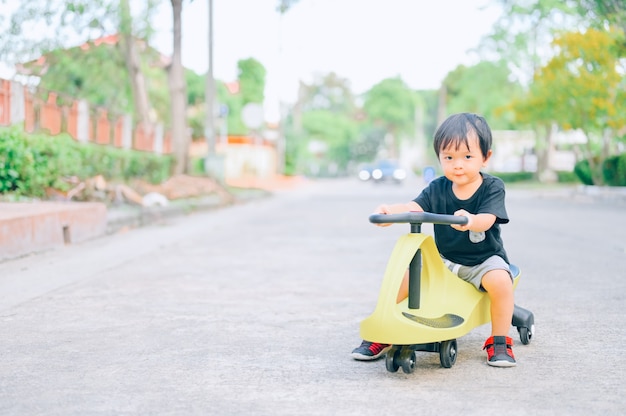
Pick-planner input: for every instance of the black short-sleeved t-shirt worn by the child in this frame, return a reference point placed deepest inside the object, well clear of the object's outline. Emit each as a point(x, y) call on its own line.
point(466, 247)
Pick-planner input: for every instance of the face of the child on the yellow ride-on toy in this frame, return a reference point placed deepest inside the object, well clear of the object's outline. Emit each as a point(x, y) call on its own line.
point(462, 166)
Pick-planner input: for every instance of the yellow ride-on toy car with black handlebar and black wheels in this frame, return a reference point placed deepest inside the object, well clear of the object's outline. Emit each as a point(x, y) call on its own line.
point(440, 306)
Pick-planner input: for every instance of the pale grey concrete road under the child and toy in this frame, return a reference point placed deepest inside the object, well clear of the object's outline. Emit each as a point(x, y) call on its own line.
point(254, 309)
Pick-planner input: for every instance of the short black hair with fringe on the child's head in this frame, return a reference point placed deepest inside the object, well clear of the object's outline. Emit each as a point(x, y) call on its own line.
point(454, 130)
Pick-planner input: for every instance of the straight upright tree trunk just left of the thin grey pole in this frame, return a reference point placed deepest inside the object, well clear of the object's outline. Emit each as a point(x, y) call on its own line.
point(178, 102)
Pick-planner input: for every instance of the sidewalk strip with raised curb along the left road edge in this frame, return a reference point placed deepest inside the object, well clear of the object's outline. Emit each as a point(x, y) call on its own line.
point(31, 227)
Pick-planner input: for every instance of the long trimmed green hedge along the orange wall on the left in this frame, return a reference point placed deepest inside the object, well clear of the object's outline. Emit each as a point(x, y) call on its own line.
point(31, 163)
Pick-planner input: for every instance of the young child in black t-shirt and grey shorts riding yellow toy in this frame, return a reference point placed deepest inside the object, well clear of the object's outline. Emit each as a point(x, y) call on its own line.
point(474, 251)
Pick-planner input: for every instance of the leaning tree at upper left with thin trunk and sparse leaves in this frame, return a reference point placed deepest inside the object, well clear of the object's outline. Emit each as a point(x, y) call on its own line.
point(65, 23)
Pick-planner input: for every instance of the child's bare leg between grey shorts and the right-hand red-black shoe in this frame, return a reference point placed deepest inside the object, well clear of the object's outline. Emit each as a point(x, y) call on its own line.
point(499, 288)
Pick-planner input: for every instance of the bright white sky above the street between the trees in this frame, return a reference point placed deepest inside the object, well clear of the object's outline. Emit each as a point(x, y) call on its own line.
point(363, 41)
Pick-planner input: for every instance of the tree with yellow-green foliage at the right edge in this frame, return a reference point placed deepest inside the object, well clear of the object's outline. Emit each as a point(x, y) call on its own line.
point(582, 87)
